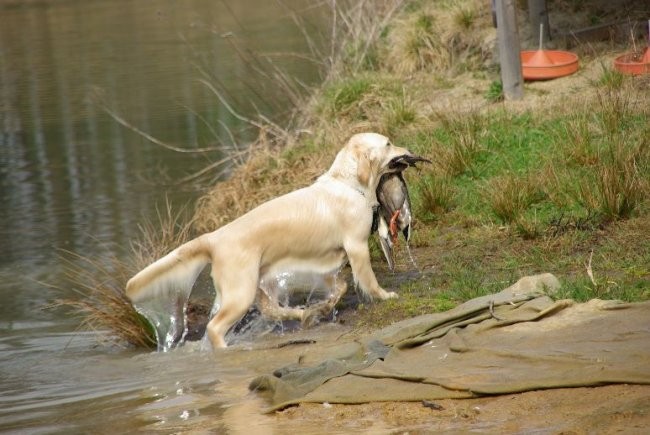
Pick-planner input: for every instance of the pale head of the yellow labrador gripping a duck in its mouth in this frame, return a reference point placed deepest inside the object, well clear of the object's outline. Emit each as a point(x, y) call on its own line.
point(368, 156)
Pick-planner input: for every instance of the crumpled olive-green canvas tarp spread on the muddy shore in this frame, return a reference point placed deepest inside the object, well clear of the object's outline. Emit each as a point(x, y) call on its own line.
point(517, 340)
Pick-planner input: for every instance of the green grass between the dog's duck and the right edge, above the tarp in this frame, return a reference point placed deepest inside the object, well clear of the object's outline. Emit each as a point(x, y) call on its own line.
point(513, 194)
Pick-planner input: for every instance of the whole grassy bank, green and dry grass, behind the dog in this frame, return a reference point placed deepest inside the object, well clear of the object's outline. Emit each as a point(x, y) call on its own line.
point(513, 190)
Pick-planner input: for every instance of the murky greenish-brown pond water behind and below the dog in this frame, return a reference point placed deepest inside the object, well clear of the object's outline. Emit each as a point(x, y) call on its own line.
point(74, 179)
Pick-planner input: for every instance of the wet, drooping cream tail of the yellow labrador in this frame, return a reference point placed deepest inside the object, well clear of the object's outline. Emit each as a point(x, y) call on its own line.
point(174, 273)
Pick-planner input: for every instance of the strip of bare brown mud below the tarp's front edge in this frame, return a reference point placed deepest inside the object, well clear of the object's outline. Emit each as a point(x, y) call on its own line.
point(607, 409)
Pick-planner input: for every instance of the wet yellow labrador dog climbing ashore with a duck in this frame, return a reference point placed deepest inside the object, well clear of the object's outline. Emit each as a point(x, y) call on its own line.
point(312, 230)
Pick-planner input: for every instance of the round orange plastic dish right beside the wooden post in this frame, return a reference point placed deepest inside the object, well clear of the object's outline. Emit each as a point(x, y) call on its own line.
point(548, 64)
